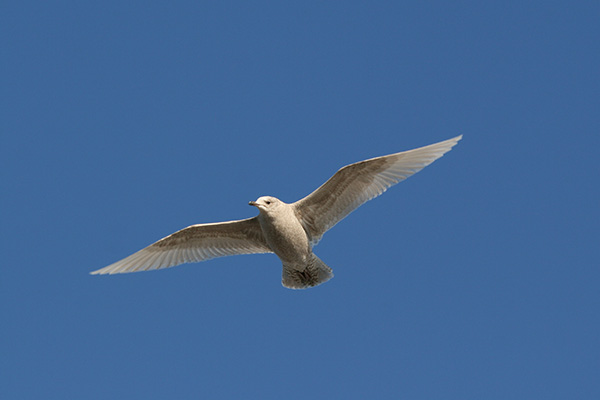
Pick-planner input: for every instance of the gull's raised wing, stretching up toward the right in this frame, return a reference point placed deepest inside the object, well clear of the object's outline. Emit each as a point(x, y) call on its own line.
point(357, 183)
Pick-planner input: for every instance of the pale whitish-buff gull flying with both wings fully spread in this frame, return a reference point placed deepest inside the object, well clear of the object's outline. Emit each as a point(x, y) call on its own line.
point(290, 230)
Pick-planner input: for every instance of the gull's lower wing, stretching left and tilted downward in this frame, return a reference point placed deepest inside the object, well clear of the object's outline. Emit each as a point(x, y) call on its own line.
point(195, 243)
